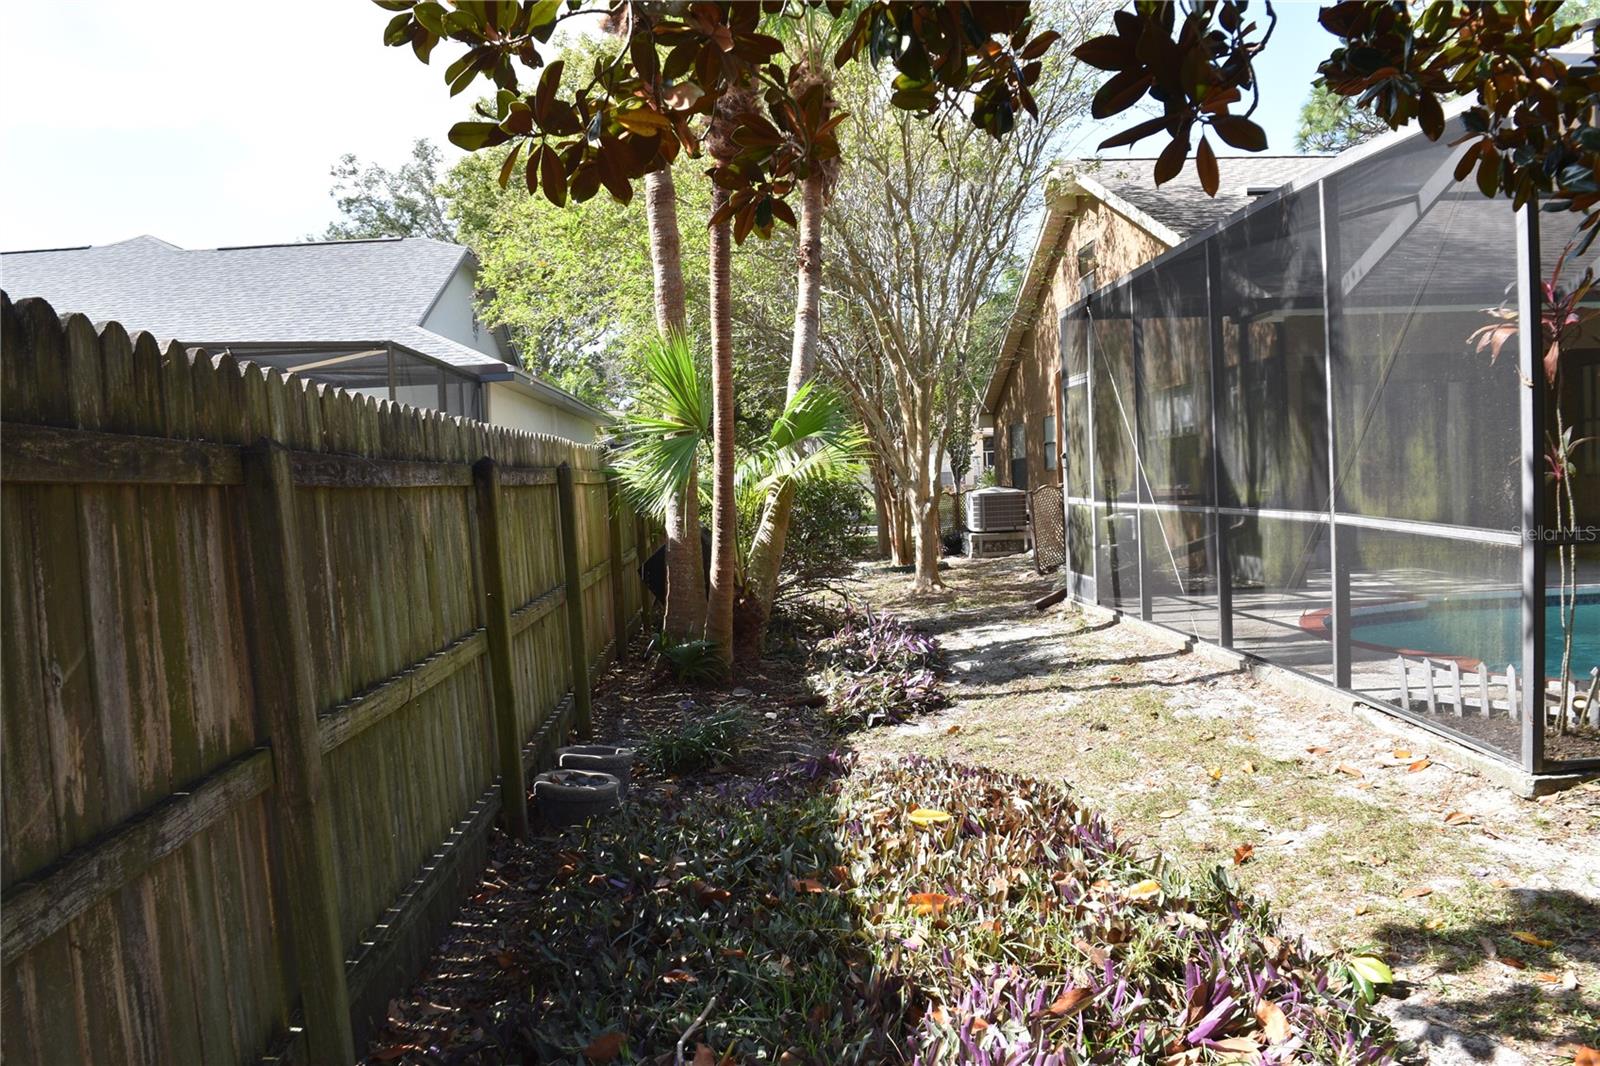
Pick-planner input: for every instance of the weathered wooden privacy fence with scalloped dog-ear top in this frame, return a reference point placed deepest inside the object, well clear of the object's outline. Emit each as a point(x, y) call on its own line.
point(276, 657)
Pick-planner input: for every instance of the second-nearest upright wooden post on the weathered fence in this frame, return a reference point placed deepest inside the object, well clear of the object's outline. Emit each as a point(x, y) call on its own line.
point(497, 627)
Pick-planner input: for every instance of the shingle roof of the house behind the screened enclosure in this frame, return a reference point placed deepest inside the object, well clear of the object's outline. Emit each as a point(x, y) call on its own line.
point(1182, 204)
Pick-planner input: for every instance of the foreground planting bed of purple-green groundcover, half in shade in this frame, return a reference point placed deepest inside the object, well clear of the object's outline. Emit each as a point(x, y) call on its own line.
point(791, 907)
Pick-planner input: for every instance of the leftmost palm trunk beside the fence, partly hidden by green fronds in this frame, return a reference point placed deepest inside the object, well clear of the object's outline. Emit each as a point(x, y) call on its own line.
point(686, 611)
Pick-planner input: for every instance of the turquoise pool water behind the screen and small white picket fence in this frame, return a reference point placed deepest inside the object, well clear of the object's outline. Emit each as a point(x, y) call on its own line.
point(1482, 628)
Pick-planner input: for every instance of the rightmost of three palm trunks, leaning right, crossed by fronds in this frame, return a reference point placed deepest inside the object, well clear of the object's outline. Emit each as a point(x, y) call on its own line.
point(767, 548)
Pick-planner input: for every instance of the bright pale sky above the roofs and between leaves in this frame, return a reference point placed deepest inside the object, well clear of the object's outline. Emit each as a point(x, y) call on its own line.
point(215, 122)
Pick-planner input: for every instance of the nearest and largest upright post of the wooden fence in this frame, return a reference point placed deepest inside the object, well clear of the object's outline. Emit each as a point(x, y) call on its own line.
point(286, 692)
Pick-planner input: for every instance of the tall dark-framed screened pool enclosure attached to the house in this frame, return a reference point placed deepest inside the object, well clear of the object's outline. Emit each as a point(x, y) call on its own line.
point(1316, 433)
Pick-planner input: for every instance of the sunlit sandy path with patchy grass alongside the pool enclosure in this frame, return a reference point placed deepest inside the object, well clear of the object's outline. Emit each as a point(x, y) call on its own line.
point(1487, 905)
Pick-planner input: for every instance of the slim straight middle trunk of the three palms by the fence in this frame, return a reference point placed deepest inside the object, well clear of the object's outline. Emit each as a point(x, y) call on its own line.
point(726, 518)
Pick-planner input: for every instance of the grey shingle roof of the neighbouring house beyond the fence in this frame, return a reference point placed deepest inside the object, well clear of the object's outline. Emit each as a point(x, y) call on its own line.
point(335, 292)
